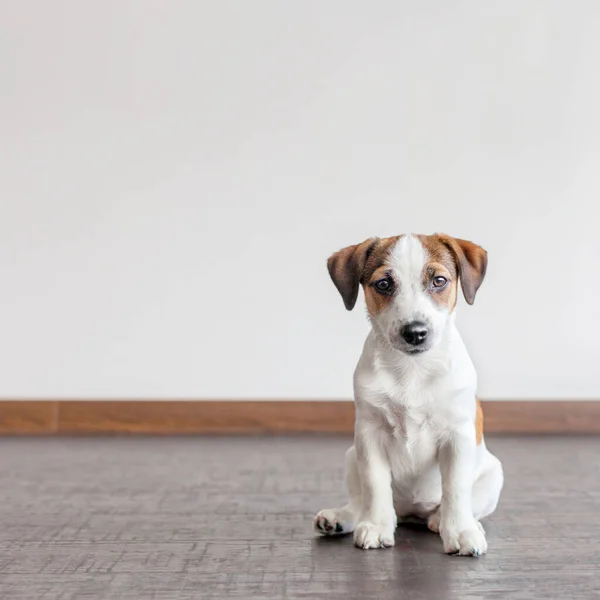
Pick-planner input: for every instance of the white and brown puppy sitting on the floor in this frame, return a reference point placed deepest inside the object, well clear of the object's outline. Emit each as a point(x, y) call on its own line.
point(418, 441)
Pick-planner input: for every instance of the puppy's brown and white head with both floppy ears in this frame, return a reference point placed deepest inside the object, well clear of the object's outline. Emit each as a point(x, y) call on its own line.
point(410, 284)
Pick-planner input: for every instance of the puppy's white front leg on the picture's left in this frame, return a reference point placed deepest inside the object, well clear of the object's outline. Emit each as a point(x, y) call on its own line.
point(377, 522)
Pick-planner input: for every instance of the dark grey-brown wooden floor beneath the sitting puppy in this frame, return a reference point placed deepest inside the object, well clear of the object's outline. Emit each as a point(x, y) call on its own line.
point(166, 518)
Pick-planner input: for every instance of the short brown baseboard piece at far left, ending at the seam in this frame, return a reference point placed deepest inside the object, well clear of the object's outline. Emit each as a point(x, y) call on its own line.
point(28, 417)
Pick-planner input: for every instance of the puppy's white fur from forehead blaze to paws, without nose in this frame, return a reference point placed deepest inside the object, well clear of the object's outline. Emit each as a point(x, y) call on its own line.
point(415, 451)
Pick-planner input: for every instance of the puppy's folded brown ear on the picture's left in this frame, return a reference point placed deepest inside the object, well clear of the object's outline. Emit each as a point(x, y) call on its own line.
point(346, 269)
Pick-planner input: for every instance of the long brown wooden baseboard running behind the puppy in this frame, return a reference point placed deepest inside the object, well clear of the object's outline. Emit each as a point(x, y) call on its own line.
point(188, 417)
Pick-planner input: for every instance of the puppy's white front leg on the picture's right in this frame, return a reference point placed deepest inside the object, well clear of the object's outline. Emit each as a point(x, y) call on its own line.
point(461, 532)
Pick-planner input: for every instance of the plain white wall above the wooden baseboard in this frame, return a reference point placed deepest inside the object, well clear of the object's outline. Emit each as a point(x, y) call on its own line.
point(174, 175)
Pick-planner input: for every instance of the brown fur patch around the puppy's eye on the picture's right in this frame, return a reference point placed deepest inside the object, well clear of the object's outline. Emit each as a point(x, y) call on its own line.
point(441, 262)
